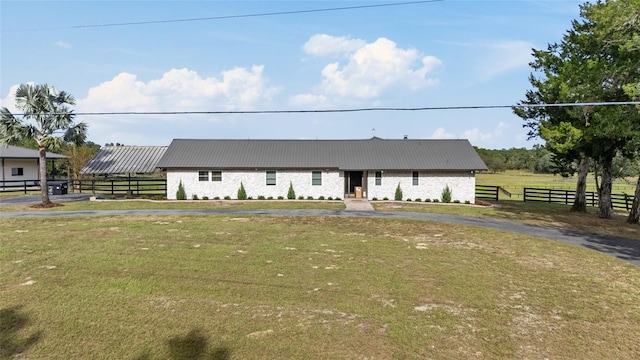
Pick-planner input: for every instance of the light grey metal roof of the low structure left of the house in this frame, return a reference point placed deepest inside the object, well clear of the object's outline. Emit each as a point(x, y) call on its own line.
point(125, 160)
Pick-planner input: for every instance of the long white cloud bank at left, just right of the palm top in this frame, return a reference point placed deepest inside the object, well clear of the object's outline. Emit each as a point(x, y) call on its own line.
point(181, 90)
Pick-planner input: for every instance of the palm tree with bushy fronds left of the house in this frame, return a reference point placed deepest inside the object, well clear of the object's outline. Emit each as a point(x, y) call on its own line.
point(47, 119)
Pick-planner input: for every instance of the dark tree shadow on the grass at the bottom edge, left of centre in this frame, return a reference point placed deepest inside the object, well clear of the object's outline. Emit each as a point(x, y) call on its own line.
point(193, 346)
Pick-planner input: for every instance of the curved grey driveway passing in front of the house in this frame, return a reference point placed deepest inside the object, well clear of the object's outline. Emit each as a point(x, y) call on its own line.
point(625, 249)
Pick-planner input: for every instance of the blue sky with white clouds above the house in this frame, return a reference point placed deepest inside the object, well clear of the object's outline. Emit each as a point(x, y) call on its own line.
point(437, 54)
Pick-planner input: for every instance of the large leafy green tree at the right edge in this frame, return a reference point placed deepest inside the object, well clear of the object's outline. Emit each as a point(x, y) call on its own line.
point(596, 61)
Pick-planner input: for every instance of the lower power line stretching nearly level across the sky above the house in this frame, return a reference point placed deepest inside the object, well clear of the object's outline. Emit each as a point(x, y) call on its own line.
point(472, 107)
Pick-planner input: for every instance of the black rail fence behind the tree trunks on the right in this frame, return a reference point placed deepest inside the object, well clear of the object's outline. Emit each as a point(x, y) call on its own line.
point(618, 201)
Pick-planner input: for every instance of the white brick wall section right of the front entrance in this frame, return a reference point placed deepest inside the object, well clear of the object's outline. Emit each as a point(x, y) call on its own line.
point(430, 185)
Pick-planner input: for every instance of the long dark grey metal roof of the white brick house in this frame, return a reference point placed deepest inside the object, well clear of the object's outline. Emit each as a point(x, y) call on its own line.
point(374, 153)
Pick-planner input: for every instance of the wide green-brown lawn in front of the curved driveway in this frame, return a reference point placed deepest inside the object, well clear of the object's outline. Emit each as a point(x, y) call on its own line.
point(237, 287)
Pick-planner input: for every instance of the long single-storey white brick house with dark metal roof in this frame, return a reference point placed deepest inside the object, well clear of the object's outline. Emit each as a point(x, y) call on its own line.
point(370, 168)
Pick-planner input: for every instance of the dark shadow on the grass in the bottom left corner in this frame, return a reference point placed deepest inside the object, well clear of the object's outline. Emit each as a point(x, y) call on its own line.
point(12, 321)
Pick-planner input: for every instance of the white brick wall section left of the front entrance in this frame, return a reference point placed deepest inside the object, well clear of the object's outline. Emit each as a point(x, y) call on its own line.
point(255, 184)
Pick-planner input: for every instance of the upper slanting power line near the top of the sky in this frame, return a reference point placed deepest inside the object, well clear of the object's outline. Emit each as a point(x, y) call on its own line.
point(212, 18)
